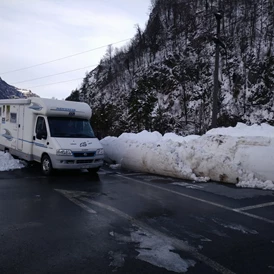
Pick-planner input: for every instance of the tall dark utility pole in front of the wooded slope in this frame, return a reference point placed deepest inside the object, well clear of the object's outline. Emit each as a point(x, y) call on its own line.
point(215, 111)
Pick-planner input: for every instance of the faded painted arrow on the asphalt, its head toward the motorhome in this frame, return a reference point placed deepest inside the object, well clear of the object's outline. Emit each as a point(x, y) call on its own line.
point(179, 244)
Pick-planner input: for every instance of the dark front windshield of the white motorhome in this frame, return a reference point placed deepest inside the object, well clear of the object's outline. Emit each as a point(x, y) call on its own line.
point(66, 127)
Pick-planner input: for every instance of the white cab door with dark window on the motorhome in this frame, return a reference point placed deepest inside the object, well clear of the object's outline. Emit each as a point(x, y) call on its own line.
point(40, 137)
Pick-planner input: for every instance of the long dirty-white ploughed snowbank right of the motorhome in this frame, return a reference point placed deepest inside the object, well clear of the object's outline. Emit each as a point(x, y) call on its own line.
point(242, 155)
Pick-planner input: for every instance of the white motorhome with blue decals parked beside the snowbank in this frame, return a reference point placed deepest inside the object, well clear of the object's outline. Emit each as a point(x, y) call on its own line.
point(55, 133)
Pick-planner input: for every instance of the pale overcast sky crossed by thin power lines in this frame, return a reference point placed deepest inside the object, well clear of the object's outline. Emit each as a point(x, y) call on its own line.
point(37, 31)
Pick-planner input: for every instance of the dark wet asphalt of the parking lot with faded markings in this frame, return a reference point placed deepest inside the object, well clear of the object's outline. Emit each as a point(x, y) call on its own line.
point(127, 222)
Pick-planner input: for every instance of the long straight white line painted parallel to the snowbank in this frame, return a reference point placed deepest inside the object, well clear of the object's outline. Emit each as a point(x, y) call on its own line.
point(200, 200)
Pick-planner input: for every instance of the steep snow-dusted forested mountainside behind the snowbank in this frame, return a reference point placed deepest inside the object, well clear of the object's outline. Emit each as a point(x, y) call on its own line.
point(163, 79)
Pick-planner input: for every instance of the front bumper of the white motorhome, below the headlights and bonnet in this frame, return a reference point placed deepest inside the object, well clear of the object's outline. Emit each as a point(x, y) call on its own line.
point(71, 162)
